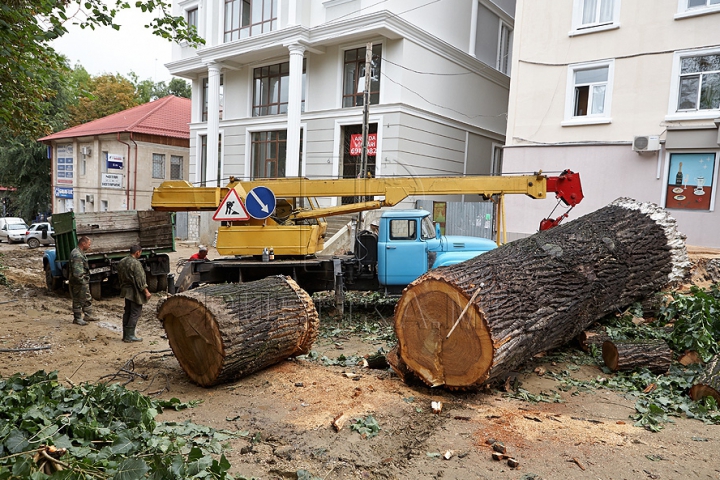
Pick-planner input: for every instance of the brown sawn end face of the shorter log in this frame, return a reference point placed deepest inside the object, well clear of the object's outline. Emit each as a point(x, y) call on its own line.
point(192, 330)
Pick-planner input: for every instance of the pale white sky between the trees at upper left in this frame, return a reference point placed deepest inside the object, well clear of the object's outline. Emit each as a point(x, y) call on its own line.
point(132, 48)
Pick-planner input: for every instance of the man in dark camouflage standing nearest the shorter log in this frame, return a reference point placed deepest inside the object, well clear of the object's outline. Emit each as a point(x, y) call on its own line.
point(133, 287)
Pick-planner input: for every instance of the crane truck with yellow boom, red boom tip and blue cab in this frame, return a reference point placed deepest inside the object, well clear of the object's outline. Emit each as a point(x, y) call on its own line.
point(294, 227)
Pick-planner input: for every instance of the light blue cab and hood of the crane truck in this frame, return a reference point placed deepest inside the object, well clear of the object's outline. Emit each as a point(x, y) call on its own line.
point(409, 245)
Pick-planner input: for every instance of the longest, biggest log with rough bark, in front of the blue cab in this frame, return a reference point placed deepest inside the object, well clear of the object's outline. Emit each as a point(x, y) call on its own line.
point(535, 294)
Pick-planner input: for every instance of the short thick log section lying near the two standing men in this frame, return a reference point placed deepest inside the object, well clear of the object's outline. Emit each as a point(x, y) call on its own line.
point(223, 332)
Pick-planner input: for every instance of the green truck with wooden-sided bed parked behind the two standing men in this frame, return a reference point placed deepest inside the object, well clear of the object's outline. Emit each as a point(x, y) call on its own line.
point(112, 234)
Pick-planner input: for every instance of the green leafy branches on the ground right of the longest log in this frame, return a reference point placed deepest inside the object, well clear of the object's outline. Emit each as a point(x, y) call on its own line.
point(687, 321)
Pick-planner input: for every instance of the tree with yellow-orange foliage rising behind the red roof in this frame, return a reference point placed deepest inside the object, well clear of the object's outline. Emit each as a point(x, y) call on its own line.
point(106, 94)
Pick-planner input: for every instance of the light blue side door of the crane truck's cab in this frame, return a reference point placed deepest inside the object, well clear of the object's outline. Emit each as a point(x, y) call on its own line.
point(402, 255)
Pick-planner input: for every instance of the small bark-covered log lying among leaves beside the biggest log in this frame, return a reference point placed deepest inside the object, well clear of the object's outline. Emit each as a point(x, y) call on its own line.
point(655, 355)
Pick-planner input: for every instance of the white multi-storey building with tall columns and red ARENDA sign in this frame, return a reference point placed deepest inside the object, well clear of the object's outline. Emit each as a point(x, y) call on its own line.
point(283, 79)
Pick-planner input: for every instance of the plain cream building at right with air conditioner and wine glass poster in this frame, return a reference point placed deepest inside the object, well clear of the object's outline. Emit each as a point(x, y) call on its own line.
point(628, 94)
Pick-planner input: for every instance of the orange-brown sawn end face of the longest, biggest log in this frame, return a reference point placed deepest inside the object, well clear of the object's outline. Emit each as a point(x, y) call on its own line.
point(424, 316)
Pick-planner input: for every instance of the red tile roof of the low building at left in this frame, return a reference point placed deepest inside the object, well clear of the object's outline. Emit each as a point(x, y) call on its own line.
point(168, 117)
